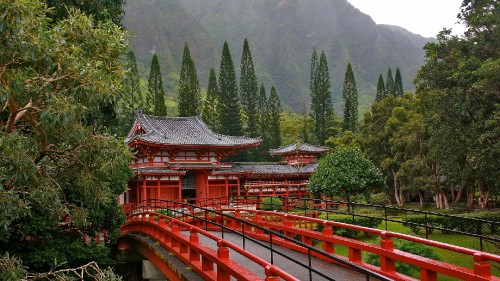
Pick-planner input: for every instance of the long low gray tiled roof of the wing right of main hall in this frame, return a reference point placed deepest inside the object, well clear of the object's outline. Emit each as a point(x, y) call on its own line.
point(267, 169)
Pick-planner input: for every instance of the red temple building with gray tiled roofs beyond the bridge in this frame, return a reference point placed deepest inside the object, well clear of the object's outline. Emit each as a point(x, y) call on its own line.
point(180, 158)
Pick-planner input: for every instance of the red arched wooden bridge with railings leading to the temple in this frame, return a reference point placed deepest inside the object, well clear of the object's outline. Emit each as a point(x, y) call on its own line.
point(238, 242)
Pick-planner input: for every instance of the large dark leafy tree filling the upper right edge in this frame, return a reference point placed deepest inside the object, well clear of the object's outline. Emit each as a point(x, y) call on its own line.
point(459, 90)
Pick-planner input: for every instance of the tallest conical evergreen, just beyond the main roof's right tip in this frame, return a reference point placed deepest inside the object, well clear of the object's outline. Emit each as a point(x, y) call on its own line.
point(249, 90)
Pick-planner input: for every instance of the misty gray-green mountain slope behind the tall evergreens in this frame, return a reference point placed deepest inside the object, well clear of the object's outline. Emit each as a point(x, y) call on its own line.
point(282, 35)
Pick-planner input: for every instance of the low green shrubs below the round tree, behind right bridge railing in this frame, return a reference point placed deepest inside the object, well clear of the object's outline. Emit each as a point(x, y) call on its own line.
point(370, 221)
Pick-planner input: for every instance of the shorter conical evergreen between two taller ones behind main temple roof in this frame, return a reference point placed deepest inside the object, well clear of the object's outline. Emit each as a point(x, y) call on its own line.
point(209, 112)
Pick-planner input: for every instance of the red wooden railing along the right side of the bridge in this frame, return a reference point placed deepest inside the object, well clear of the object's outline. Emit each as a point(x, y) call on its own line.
point(306, 228)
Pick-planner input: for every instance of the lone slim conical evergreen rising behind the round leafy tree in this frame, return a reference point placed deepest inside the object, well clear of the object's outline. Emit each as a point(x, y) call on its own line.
point(350, 95)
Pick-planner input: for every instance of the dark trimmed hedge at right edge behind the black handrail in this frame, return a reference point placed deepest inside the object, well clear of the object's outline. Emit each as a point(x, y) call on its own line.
point(456, 223)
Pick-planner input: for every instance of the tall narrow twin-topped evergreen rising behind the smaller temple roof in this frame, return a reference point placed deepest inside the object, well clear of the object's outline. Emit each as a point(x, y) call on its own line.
point(321, 99)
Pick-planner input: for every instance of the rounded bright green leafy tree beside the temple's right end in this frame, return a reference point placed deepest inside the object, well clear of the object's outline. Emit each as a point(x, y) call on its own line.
point(346, 173)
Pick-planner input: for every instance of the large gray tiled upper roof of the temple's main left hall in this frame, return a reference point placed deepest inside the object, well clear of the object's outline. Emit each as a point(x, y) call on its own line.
point(190, 131)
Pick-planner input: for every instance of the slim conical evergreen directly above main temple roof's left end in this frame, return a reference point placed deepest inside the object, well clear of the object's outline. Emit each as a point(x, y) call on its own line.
point(156, 95)
